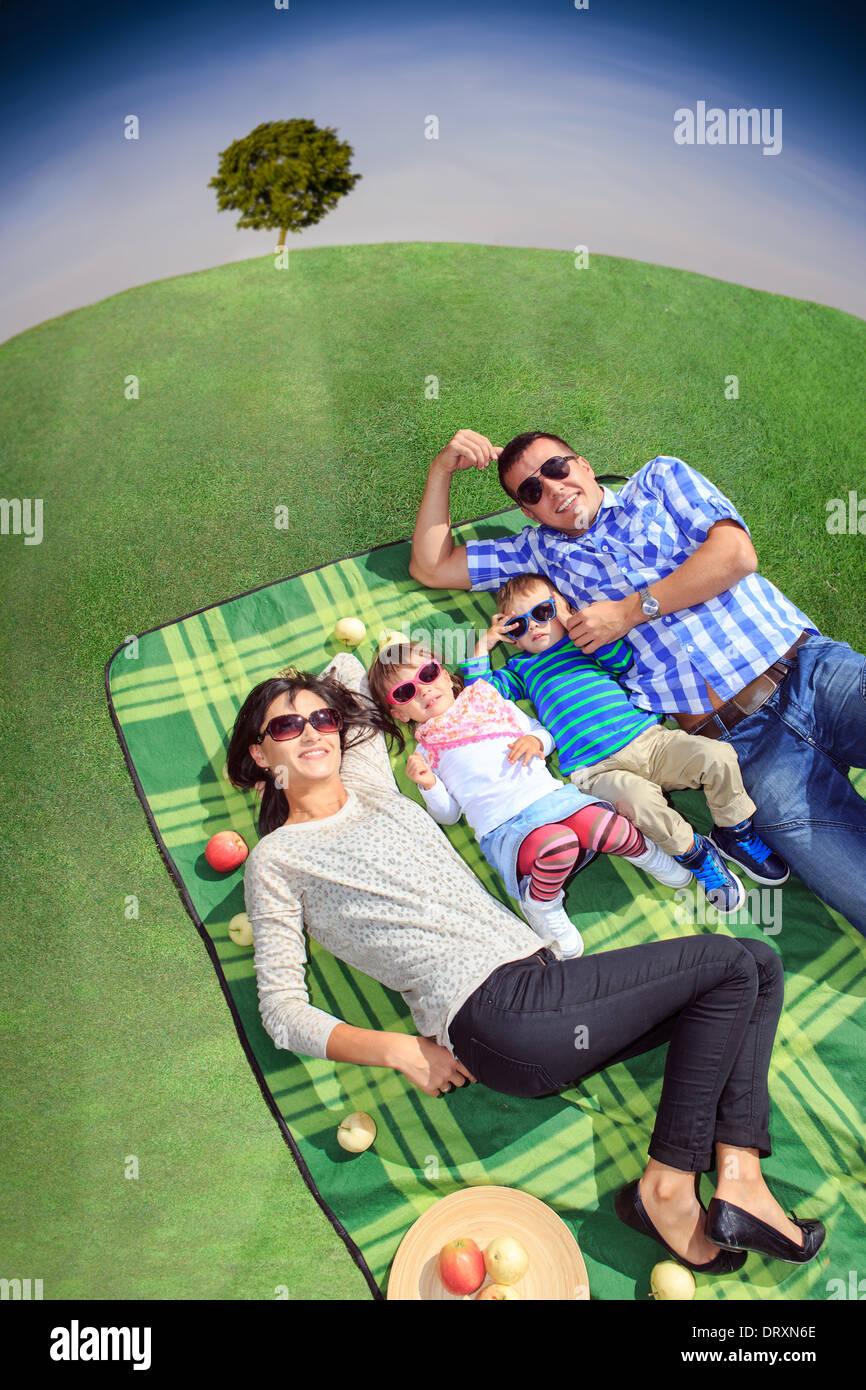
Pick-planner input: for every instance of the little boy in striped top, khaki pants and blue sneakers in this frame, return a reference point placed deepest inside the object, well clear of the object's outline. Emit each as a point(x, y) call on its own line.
point(619, 753)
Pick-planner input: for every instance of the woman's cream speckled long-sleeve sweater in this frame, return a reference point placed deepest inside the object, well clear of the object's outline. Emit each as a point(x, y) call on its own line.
point(380, 888)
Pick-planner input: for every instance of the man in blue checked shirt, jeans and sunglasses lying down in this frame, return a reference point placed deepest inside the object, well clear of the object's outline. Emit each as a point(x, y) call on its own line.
point(669, 562)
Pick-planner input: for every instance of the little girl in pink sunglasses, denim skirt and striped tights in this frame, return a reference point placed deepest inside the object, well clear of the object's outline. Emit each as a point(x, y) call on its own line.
point(483, 758)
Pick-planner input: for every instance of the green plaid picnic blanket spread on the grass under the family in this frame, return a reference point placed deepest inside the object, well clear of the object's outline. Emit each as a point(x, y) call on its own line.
point(174, 694)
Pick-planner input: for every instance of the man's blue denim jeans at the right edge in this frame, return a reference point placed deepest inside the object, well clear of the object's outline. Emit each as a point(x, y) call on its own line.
point(794, 754)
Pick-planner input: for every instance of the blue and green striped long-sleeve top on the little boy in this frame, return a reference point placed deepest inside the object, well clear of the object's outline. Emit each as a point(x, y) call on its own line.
point(576, 697)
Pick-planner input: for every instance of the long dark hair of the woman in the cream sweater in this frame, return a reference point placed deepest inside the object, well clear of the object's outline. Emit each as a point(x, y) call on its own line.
point(361, 719)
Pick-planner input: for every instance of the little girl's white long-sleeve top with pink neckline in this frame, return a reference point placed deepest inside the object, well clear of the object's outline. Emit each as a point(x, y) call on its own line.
point(479, 782)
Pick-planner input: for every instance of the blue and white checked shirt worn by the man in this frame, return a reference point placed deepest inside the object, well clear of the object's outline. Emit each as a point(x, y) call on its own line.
point(640, 536)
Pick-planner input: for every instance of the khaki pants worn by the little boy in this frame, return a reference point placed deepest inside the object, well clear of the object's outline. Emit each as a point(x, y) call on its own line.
point(669, 760)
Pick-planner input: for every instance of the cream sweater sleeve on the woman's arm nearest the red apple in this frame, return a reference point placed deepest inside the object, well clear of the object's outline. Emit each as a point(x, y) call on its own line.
point(280, 945)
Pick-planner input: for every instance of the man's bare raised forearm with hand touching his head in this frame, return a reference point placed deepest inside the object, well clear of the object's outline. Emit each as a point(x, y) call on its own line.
point(436, 561)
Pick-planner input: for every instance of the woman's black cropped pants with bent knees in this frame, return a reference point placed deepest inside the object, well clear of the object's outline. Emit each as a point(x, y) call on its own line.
point(540, 1025)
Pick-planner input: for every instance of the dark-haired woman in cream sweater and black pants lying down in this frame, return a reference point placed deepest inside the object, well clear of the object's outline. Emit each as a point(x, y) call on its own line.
point(366, 872)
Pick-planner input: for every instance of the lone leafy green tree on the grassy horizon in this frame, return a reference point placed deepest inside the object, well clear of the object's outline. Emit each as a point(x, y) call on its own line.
point(284, 174)
